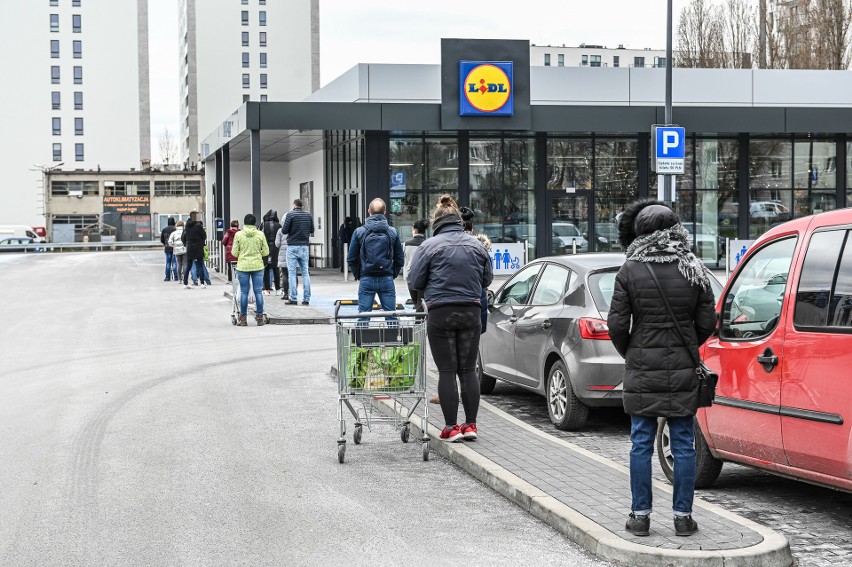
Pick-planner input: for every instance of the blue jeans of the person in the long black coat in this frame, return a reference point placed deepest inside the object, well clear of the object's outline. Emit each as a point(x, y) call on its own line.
point(643, 432)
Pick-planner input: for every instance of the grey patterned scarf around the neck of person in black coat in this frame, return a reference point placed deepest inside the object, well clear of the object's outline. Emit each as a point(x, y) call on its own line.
point(667, 246)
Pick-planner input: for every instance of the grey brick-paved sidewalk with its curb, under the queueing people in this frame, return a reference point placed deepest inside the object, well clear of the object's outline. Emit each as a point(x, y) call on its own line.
point(581, 494)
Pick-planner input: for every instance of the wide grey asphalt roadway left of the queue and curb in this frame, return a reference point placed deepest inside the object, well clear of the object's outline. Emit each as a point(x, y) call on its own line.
point(139, 427)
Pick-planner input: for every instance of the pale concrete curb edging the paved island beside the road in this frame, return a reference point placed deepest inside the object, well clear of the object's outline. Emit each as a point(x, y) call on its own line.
point(773, 551)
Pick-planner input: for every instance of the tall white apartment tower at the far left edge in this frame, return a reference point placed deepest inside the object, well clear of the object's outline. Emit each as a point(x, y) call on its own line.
point(76, 95)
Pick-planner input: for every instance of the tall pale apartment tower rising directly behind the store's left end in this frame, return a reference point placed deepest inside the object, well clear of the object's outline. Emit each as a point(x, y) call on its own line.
point(234, 51)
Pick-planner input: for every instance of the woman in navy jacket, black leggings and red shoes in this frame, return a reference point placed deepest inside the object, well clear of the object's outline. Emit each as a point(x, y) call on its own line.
point(451, 269)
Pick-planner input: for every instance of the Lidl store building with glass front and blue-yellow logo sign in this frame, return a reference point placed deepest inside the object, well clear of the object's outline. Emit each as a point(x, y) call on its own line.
point(545, 155)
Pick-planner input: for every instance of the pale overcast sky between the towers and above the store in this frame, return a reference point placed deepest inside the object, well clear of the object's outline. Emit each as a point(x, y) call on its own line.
point(403, 31)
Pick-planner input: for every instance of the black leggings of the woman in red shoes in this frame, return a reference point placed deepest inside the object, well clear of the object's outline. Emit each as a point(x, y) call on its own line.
point(454, 337)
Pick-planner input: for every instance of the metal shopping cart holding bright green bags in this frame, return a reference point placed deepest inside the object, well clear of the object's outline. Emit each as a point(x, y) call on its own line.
point(381, 357)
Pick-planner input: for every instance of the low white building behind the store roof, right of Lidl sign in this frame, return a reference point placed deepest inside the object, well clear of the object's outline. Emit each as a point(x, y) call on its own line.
point(587, 55)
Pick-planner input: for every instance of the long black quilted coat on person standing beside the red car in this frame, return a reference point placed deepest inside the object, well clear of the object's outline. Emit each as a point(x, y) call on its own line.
point(659, 379)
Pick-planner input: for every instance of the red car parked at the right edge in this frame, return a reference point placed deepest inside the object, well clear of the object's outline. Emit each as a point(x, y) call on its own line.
point(782, 352)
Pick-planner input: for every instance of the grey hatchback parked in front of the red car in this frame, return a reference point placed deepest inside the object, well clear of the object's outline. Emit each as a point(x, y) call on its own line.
point(547, 332)
